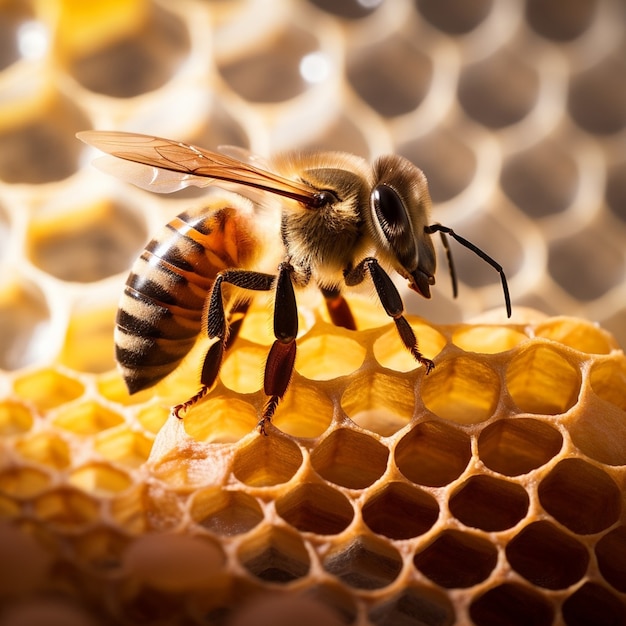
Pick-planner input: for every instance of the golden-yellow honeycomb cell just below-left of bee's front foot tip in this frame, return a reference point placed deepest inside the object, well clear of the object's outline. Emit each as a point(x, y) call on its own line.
point(380, 403)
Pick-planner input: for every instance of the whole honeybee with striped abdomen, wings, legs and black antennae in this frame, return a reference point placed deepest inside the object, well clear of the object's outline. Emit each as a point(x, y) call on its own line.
point(323, 218)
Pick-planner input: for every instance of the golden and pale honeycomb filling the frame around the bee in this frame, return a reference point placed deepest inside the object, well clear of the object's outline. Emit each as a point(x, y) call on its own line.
point(490, 492)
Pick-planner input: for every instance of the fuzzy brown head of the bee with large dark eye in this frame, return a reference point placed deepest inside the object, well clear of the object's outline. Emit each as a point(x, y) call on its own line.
point(400, 211)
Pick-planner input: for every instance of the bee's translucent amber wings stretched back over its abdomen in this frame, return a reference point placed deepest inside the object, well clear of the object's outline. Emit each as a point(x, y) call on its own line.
point(165, 165)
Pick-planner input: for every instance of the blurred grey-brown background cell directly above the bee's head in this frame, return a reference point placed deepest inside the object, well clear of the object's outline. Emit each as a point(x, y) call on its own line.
point(391, 93)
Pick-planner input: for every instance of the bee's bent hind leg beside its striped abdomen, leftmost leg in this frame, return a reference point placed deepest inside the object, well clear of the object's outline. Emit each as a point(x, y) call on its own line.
point(217, 327)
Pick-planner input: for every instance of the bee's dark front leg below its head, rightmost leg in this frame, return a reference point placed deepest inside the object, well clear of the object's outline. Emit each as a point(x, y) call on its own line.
point(392, 303)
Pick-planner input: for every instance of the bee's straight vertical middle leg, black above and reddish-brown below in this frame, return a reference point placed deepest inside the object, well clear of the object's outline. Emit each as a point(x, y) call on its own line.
point(280, 360)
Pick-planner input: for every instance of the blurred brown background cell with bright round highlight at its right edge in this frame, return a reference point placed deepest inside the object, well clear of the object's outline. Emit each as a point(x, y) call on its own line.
point(271, 73)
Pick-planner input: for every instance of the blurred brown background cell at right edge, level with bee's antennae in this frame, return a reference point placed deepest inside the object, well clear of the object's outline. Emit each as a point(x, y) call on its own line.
point(588, 264)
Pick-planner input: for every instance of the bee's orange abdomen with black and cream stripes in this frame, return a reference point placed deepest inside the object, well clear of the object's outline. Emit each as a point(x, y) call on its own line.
point(161, 309)
